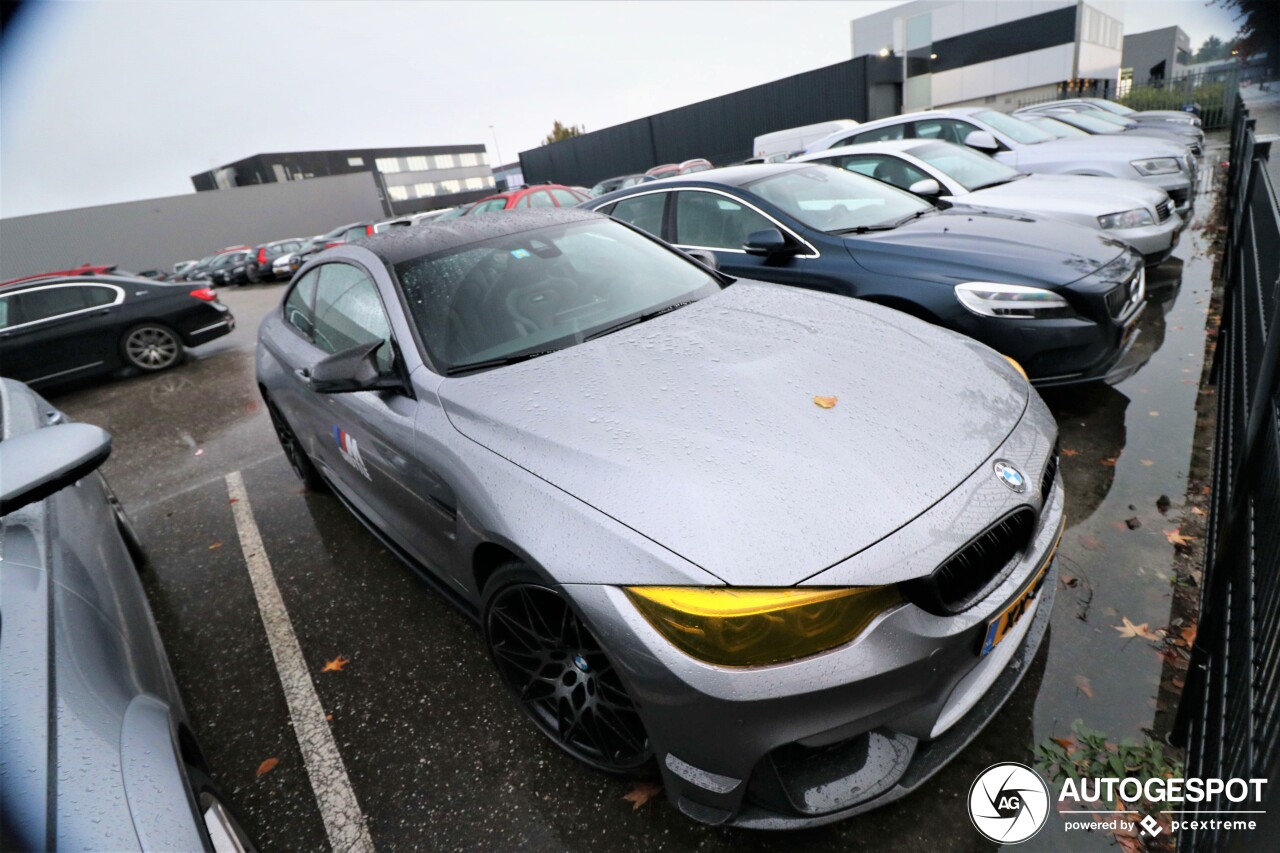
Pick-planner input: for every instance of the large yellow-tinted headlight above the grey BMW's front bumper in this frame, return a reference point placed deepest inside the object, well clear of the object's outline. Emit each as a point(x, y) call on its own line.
point(734, 627)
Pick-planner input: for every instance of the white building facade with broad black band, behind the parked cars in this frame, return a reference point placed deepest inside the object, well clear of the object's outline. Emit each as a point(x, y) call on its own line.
point(996, 53)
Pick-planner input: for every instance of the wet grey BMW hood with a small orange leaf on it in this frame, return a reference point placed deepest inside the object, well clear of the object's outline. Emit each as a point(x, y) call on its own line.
point(700, 428)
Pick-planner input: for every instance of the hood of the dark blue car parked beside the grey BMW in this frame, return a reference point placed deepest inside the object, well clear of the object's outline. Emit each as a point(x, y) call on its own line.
point(968, 245)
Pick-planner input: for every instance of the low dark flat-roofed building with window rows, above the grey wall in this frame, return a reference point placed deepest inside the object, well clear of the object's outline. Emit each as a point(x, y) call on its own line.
point(409, 179)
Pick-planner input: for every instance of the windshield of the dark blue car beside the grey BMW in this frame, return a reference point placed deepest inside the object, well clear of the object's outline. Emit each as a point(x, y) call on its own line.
point(835, 200)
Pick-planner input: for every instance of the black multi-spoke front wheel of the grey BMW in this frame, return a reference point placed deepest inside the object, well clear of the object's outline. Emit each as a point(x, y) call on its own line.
point(563, 678)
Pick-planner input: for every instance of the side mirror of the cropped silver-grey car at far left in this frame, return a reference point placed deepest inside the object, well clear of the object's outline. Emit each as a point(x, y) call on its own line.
point(38, 464)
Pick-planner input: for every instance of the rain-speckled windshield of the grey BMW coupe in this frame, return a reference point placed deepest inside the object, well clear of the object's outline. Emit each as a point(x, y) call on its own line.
point(542, 290)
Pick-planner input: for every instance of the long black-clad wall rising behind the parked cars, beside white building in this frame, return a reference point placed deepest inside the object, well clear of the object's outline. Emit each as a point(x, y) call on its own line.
point(720, 130)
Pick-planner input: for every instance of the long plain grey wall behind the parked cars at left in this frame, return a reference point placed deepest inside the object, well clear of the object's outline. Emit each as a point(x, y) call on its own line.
point(157, 234)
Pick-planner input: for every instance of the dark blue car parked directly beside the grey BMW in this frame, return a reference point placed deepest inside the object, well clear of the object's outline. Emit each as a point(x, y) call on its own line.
point(1059, 299)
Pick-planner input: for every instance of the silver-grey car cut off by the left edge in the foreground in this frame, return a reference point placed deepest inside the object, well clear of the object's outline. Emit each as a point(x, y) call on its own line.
point(97, 752)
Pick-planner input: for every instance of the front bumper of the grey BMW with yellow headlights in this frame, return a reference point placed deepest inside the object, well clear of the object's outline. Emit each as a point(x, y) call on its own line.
point(828, 737)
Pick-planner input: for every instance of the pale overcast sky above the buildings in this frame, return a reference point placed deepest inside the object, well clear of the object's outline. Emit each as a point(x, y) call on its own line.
point(117, 102)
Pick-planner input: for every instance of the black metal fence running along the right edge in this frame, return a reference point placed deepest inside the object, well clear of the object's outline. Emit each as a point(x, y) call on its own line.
point(1229, 715)
